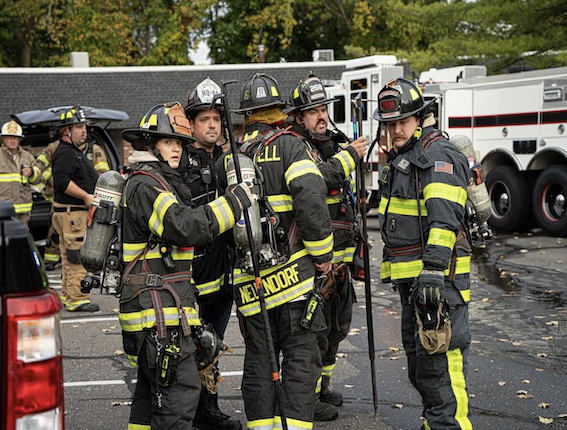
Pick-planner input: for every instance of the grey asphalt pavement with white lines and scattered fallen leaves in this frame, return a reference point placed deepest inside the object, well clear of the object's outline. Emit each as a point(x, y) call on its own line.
point(517, 366)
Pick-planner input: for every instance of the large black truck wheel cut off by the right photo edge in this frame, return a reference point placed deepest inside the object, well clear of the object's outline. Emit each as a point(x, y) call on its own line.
point(550, 200)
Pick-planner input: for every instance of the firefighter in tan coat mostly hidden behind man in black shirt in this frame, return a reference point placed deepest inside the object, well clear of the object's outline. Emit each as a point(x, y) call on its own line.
point(43, 161)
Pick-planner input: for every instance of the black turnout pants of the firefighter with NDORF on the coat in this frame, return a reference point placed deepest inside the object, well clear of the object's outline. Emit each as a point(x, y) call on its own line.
point(300, 368)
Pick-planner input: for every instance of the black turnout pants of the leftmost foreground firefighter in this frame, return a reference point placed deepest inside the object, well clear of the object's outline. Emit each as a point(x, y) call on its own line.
point(179, 400)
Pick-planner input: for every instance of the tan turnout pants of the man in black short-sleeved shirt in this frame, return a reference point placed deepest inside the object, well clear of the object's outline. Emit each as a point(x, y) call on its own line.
point(71, 227)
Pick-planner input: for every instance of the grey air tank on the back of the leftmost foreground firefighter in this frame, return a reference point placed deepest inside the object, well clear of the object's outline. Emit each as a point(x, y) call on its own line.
point(102, 218)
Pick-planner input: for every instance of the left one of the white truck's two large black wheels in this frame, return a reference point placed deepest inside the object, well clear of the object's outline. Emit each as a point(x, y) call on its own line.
point(509, 199)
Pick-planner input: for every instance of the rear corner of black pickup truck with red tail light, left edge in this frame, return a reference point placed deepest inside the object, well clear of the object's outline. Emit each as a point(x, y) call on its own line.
point(31, 368)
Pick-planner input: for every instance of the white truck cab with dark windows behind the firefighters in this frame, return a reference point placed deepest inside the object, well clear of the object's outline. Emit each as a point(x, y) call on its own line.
point(363, 77)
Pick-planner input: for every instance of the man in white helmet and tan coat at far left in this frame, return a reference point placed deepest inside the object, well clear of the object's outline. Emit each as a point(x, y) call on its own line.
point(16, 171)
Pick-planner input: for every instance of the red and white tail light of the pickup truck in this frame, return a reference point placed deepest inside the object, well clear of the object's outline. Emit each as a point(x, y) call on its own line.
point(33, 368)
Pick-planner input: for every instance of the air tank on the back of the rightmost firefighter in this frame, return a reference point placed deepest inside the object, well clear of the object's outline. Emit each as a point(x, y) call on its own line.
point(476, 190)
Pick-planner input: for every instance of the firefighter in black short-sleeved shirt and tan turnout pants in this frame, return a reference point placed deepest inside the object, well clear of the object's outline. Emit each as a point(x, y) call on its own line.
point(74, 180)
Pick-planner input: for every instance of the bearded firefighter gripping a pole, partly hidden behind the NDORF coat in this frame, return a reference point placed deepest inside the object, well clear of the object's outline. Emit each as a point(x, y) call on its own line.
point(336, 159)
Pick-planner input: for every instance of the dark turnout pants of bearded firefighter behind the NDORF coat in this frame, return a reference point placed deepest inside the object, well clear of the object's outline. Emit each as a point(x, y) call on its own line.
point(338, 316)
